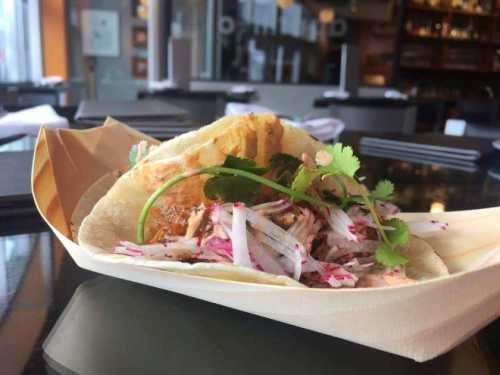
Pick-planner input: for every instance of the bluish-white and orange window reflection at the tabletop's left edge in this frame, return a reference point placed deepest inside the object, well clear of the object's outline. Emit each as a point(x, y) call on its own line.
point(28, 273)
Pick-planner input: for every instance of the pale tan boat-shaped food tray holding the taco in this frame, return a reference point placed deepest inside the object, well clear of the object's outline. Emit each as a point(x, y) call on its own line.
point(418, 321)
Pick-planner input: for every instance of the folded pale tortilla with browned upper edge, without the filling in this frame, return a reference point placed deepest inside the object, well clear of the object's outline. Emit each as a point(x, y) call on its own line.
point(114, 216)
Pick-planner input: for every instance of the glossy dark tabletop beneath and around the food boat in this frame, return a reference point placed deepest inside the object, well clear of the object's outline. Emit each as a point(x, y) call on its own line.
point(113, 326)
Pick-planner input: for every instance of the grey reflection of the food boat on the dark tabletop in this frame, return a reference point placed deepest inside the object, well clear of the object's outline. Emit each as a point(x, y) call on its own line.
point(126, 328)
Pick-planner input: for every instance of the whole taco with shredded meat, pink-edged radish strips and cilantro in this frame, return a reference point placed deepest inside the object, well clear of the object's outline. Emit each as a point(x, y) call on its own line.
point(251, 198)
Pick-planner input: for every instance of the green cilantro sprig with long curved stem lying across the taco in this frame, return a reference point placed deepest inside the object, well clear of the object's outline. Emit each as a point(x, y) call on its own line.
point(240, 179)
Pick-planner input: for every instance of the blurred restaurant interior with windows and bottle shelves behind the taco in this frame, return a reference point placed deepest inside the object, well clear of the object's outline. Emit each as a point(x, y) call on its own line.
point(382, 65)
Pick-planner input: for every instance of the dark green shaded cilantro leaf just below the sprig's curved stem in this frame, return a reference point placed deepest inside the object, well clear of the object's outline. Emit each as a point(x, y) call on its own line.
point(231, 189)
